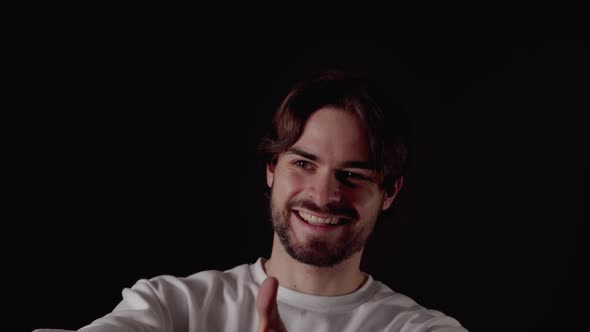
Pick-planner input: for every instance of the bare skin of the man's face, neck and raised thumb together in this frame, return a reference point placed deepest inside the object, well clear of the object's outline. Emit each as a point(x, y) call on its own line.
point(325, 174)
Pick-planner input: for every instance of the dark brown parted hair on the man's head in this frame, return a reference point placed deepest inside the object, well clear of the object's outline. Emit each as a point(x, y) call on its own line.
point(384, 117)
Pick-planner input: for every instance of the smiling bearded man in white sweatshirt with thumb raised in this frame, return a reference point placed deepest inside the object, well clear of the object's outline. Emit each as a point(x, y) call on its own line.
point(334, 164)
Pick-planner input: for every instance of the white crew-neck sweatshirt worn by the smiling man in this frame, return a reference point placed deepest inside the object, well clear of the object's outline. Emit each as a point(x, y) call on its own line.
point(226, 301)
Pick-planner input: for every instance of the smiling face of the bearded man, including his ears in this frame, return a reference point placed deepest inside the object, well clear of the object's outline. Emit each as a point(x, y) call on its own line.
point(325, 197)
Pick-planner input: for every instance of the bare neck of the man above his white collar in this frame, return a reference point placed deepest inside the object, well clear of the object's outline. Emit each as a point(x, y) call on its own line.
point(343, 278)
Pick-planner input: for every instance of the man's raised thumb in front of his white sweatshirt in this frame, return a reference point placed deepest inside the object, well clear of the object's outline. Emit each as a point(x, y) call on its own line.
point(266, 305)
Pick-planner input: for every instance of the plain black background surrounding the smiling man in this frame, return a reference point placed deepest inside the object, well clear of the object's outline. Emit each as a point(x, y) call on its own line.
point(108, 182)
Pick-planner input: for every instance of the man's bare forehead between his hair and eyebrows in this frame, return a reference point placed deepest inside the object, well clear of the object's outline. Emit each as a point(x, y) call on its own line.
point(335, 134)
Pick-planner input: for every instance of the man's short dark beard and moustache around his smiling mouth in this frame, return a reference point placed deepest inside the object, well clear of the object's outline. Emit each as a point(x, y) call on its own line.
point(319, 251)
